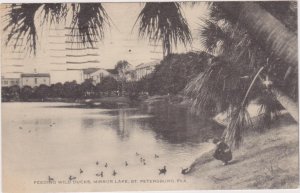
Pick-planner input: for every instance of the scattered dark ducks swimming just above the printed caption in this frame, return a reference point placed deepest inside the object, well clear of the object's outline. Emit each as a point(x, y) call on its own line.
point(161, 171)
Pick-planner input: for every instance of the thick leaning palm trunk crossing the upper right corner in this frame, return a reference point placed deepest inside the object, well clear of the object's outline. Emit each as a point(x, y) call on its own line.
point(265, 28)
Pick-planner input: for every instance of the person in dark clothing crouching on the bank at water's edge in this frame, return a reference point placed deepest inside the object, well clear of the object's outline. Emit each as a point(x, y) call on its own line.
point(222, 152)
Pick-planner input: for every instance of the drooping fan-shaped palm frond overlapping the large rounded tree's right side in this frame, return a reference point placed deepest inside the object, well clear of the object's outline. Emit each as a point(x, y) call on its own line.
point(218, 84)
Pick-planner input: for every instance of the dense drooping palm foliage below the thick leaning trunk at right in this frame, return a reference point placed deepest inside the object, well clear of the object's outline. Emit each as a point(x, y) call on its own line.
point(240, 56)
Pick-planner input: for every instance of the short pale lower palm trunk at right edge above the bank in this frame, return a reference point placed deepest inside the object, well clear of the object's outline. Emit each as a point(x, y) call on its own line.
point(290, 105)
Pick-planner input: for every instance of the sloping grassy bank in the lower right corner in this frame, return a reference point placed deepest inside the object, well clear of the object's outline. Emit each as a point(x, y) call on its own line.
point(265, 160)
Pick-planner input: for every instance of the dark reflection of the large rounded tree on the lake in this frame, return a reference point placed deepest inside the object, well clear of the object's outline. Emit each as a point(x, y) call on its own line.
point(176, 125)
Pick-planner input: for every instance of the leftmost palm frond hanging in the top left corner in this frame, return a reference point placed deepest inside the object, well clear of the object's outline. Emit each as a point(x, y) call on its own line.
point(20, 24)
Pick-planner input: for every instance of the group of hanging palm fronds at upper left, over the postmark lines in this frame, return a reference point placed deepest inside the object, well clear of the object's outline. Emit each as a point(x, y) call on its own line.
point(87, 24)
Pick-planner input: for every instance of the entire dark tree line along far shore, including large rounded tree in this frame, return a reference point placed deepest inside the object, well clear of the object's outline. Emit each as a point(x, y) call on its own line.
point(170, 76)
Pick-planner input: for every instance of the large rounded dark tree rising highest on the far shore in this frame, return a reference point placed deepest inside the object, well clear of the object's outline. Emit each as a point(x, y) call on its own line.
point(175, 71)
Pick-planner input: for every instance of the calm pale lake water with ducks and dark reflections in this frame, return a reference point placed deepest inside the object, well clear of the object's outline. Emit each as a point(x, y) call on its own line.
point(58, 139)
